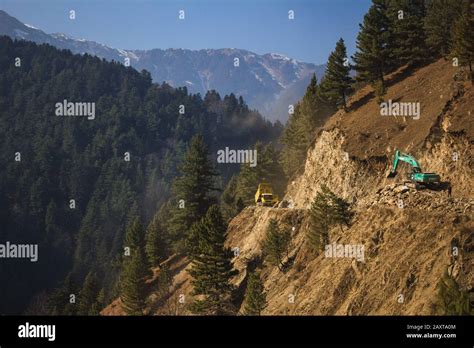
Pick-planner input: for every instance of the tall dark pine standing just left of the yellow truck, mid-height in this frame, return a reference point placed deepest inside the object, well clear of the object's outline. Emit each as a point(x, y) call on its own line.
point(192, 190)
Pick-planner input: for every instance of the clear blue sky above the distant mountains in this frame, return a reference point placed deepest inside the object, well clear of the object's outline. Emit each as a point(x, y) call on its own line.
point(261, 26)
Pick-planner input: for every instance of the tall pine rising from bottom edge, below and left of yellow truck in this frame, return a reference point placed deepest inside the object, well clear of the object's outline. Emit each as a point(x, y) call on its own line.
point(212, 267)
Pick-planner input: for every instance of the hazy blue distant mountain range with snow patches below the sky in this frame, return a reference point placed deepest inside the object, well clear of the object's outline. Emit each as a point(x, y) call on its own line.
point(268, 82)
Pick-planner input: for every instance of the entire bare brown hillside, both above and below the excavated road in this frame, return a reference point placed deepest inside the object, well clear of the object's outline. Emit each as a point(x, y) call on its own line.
point(406, 246)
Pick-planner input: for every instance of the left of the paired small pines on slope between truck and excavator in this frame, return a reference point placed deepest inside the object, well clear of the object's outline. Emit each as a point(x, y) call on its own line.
point(320, 220)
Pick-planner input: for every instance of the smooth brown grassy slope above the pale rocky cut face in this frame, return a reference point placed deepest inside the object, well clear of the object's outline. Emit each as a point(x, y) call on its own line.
point(368, 134)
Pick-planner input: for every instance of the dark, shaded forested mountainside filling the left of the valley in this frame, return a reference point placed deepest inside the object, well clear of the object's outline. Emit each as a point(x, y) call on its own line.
point(71, 184)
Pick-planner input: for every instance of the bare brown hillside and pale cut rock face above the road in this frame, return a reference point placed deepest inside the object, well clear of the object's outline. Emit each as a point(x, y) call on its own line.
point(353, 152)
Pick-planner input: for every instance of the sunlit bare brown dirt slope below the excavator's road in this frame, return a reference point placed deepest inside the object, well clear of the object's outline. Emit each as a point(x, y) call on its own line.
point(406, 250)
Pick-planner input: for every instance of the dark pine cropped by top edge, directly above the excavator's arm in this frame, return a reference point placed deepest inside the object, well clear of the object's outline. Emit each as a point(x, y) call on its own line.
point(406, 20)
